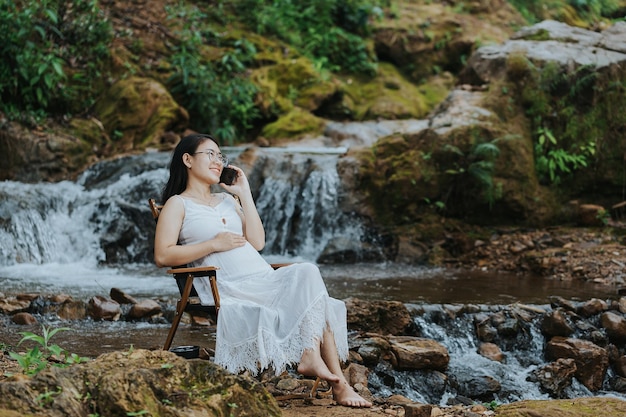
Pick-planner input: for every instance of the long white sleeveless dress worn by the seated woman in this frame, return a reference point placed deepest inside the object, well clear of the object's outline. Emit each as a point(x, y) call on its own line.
point(267, 317)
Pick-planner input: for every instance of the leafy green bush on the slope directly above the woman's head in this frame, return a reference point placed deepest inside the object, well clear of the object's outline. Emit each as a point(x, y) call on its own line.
point(217, 94)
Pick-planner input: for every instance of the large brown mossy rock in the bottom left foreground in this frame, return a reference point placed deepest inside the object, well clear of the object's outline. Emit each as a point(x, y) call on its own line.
point(162, 384)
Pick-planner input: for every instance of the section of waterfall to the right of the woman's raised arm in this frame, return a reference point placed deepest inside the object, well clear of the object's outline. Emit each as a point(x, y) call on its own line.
point(299, 200)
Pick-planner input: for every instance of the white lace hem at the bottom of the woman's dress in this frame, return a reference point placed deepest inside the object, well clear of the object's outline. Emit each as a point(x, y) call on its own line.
point(263, 352)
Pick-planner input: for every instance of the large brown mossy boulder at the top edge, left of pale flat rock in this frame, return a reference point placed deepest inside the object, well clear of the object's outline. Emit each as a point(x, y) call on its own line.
point(425, 39)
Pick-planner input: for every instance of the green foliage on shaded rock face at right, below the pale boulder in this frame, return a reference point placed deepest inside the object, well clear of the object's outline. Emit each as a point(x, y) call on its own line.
point(573, 117)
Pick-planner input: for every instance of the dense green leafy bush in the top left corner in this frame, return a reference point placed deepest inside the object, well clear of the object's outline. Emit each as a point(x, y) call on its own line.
point(50, 55)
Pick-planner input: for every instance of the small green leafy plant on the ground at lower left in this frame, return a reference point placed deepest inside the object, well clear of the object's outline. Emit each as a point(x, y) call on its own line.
point(43, 353)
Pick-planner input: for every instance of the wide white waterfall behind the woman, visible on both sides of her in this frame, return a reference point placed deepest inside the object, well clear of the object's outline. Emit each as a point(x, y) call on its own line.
point(101, 221)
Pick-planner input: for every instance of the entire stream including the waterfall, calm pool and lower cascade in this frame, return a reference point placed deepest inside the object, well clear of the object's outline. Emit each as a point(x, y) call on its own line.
point(85, 237)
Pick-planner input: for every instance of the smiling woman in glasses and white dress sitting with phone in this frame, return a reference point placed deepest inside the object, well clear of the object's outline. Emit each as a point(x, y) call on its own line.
point(268, 318)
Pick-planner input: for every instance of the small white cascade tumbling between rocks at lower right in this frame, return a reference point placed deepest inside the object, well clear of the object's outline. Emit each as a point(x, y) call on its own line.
point(523, 354)
